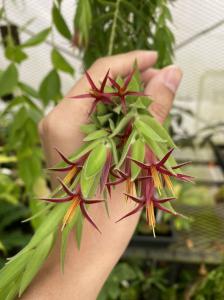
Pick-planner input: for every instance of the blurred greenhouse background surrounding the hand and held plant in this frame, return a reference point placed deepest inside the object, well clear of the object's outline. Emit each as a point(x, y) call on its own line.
point(44, 47)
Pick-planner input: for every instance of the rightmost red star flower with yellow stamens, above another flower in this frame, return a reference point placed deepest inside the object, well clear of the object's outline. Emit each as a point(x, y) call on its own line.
point(158, 170)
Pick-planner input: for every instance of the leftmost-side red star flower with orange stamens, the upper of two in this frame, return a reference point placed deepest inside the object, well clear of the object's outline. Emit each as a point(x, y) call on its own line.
point(72, 167)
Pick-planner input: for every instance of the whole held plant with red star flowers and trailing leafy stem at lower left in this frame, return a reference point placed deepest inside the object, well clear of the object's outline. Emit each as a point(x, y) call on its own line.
point(123, 143)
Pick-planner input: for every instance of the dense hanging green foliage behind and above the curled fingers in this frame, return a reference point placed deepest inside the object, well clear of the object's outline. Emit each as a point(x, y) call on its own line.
point(124, 26)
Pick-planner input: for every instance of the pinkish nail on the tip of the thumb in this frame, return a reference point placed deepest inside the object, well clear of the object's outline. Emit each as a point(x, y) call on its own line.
point(172, 78)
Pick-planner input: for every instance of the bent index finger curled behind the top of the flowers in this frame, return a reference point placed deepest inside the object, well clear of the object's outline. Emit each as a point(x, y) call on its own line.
point(122, 64)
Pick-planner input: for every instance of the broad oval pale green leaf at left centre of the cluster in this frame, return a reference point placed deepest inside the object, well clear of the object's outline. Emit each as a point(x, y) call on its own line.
point(95, 161)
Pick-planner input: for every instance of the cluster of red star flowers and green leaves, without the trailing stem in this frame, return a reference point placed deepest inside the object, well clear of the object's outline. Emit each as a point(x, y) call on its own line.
point(123, 144)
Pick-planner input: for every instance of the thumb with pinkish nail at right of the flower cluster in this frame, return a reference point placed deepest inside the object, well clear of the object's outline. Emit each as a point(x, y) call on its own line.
point(162, 89)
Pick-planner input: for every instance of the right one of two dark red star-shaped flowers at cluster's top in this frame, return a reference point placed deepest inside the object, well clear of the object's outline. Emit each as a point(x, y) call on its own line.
point(122, 91)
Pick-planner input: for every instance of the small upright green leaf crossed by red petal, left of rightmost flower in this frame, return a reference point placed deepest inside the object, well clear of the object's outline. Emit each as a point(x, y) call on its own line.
point(137, 153)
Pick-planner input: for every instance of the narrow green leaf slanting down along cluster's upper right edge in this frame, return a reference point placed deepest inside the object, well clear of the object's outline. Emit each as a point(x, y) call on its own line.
point(158, 128)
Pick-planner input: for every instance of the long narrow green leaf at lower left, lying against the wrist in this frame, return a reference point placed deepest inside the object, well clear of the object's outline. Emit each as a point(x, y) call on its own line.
point(33, 265)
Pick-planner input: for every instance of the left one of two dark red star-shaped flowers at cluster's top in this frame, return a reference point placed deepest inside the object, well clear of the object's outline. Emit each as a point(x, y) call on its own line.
point(96, 93)
